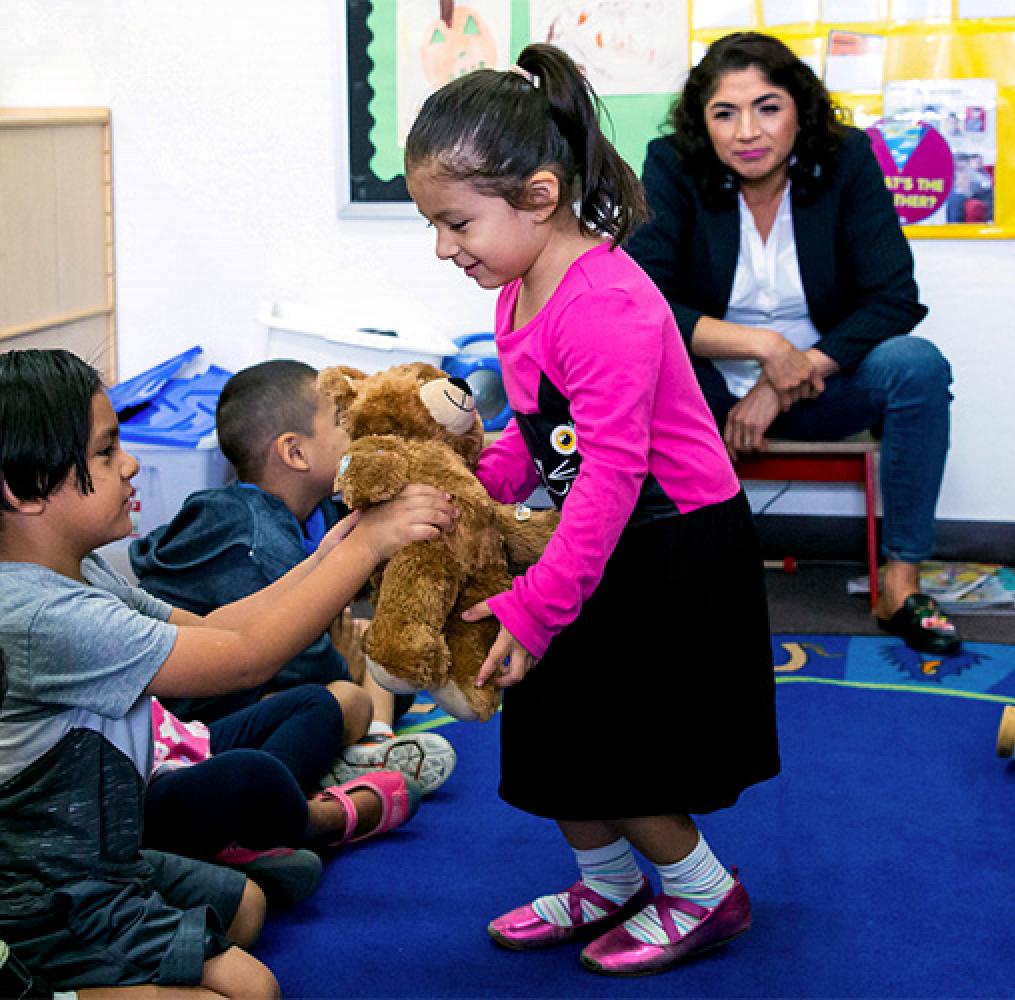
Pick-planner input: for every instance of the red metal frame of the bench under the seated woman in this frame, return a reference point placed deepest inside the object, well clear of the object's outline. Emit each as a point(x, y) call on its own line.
point(819, 466)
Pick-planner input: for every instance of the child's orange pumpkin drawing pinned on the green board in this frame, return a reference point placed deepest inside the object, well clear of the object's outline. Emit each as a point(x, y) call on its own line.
point(442, 40)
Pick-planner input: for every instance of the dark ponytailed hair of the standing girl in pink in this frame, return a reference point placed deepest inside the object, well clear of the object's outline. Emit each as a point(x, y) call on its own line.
point(497, 128)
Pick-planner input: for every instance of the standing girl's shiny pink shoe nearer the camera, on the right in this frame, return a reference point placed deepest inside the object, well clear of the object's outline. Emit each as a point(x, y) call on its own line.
point(619, 954)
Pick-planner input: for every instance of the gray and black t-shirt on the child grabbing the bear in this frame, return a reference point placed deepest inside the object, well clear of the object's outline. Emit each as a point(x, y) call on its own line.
point(76, 727)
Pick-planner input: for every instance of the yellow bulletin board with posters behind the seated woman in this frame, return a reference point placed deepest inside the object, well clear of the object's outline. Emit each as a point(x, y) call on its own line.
point(933, 82)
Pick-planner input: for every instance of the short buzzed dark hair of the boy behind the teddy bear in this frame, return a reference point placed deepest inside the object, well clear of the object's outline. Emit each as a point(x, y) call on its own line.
point(260, 404)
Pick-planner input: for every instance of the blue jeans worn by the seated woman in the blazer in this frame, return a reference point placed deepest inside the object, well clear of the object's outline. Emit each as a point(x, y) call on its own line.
point(901, 392)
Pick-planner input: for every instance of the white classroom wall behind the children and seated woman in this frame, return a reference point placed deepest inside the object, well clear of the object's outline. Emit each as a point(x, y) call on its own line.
point(228, 125)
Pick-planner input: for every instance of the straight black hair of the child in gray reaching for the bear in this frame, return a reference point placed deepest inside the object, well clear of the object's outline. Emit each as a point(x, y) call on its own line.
point(45, 422)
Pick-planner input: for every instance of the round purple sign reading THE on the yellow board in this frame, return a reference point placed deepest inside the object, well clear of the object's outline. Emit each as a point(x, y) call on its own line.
point(918, 166)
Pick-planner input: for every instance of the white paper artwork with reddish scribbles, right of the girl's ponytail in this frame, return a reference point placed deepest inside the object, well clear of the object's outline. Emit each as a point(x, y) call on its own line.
point(624, 46)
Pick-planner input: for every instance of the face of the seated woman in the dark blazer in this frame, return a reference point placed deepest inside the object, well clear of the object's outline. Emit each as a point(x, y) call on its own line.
point(753, 125)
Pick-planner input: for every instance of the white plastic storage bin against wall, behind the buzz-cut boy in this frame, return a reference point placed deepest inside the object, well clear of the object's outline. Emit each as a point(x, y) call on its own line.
point(322, 340)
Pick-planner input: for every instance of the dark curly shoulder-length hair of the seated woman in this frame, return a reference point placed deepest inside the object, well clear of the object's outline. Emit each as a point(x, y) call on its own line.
point(821, 131)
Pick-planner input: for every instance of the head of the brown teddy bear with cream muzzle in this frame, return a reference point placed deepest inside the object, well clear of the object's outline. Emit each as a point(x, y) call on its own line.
point(416, 402)
